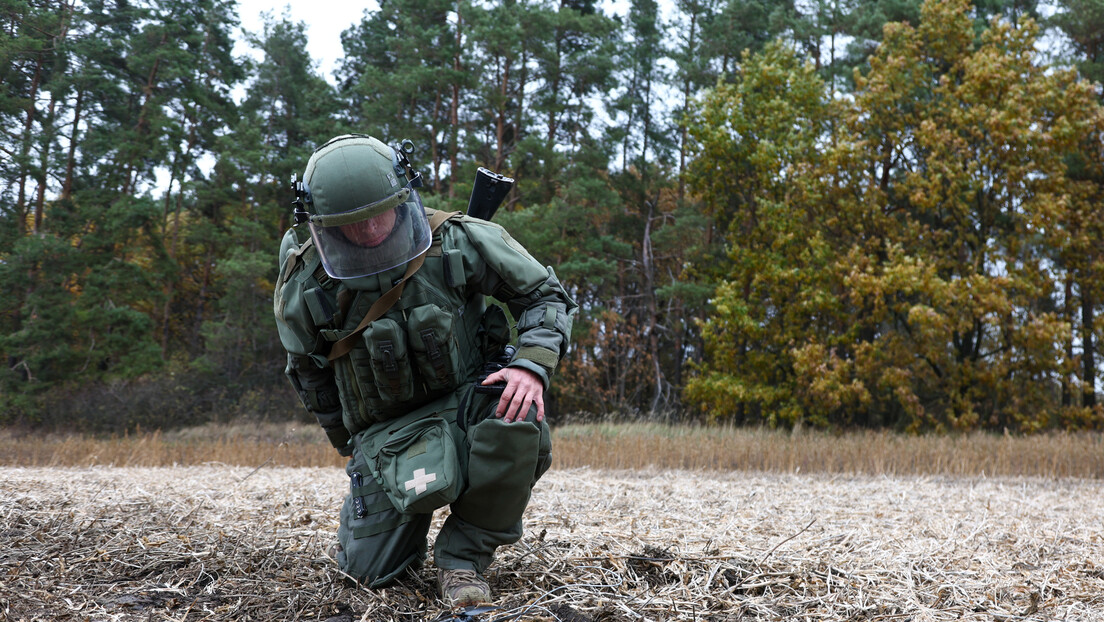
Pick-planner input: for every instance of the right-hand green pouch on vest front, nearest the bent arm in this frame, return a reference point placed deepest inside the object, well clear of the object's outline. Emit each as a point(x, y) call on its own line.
point(430, 330)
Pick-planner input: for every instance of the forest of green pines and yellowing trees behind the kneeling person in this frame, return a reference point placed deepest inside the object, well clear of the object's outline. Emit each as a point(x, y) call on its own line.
point(835, 214)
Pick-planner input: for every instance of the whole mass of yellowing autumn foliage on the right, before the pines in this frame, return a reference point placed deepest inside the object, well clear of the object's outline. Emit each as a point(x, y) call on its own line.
point(907, 276)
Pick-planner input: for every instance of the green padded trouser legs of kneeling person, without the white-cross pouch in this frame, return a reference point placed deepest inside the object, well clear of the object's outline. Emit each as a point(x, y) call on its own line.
point(501, 463)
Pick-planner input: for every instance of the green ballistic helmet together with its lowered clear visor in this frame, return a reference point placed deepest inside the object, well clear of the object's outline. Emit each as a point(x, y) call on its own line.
point(368, 217)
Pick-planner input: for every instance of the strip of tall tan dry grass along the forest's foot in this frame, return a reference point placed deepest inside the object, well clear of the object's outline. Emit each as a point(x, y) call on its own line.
point(607, 447)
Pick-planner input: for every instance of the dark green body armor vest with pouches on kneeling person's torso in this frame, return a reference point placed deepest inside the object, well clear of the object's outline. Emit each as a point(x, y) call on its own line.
point(436, 339)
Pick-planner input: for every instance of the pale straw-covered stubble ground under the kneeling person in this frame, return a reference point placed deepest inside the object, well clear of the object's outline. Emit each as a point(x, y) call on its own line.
point(216, 543)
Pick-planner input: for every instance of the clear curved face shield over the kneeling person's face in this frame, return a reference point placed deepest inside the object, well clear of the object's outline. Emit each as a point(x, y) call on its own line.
point(373, 238)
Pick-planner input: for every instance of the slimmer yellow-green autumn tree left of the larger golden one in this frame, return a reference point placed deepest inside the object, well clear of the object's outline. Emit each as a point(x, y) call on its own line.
point(753, 139)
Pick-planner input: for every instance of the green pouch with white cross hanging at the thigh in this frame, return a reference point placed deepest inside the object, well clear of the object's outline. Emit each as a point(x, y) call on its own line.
point(418, 466)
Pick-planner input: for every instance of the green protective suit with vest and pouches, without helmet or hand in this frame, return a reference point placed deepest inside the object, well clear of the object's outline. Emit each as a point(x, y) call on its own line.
point(401, 403)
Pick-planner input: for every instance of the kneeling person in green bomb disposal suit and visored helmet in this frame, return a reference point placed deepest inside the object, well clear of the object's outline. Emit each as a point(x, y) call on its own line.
point(385, 319)
